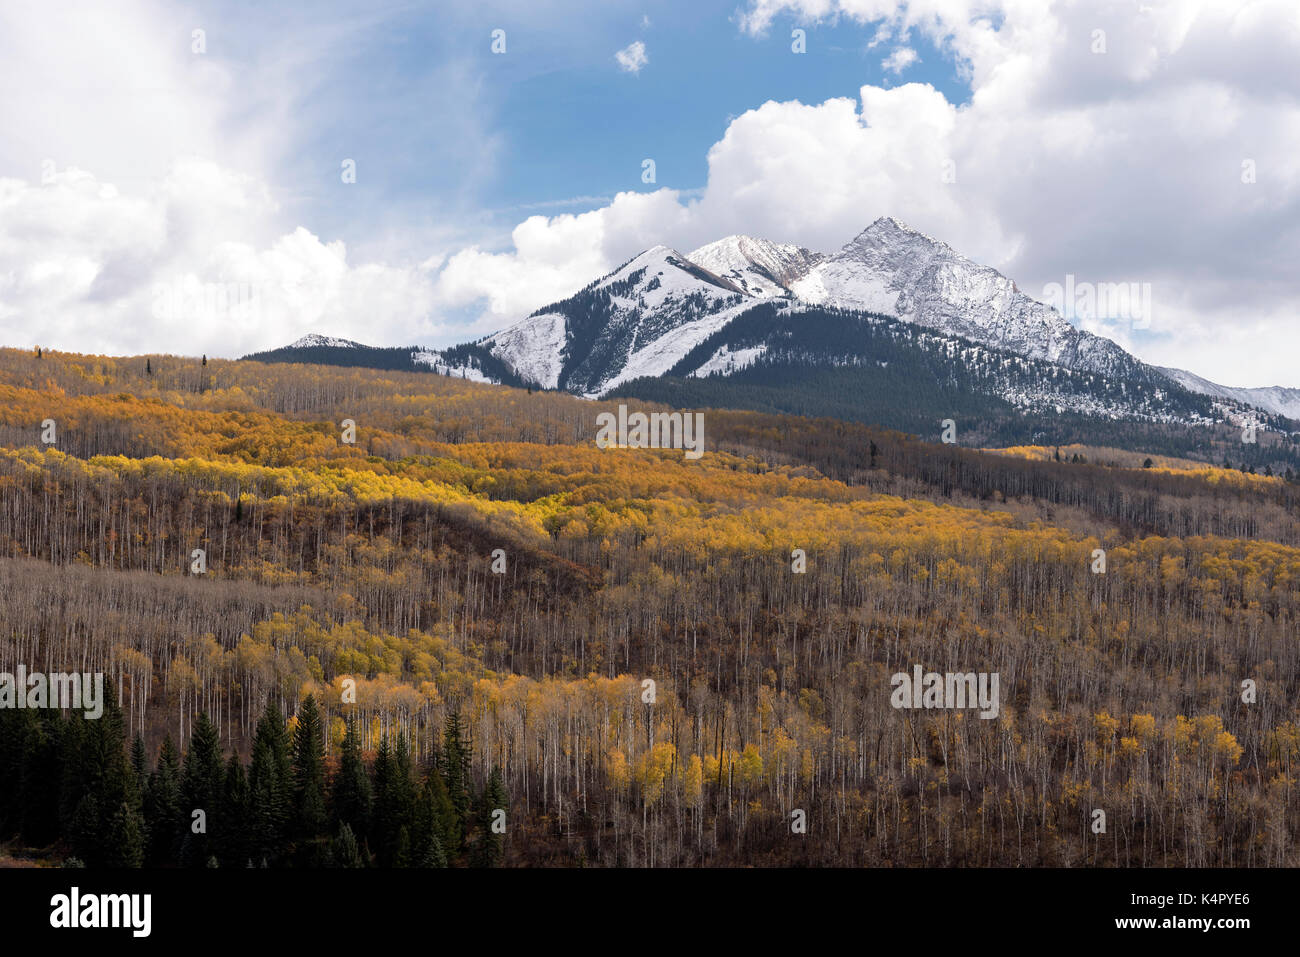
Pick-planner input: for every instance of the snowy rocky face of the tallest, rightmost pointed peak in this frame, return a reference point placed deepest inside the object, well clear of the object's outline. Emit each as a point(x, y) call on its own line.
point(896, 271)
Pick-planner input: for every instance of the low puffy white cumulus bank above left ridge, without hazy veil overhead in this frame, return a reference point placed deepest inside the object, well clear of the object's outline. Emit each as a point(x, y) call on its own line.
point(86, 267)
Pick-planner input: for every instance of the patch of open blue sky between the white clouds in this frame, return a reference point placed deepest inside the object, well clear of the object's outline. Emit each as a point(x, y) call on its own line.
point(557, 125)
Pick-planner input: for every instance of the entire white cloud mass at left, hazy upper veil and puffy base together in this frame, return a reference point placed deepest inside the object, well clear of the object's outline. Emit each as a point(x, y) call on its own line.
point(137, 213)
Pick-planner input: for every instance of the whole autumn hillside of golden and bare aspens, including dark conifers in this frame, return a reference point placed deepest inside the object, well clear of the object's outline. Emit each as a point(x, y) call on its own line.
point(473, 638)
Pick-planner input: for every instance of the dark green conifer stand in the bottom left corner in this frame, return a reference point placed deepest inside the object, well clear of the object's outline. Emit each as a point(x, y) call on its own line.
point(72, 785)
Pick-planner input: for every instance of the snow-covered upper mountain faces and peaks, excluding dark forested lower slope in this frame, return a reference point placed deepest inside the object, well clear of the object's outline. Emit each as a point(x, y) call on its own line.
point(647, 315)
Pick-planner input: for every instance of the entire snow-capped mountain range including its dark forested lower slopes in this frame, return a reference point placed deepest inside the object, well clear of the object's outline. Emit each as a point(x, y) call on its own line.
point(898, 321)
